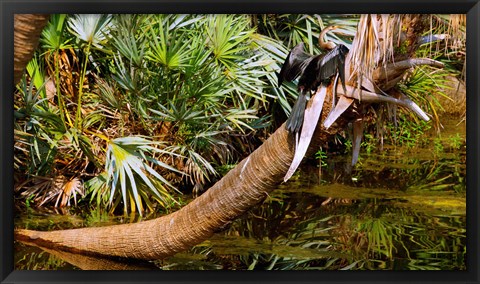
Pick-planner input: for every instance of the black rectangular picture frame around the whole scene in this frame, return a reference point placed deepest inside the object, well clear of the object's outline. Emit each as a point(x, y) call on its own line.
point(10, 7)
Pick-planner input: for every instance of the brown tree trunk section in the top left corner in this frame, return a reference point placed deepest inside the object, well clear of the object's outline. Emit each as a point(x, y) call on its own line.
point(27, 31)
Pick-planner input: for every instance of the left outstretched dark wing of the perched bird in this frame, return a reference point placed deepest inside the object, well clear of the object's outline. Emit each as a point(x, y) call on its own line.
point(296, 61)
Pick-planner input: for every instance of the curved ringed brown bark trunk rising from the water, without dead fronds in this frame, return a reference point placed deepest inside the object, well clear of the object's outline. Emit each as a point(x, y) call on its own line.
point(243, 187)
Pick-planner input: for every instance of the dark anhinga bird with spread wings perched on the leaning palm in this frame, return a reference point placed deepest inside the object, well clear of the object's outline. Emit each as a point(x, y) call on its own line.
point(313, 70)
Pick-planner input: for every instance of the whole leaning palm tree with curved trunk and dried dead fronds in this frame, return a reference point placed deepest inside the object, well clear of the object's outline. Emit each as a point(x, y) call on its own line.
point(369, 65)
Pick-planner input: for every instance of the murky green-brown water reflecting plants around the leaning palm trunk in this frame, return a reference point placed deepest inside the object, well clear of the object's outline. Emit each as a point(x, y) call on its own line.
point(400, 209)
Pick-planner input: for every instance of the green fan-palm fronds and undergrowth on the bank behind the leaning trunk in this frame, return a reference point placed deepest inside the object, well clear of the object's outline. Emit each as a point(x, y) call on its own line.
point(124, 112)
